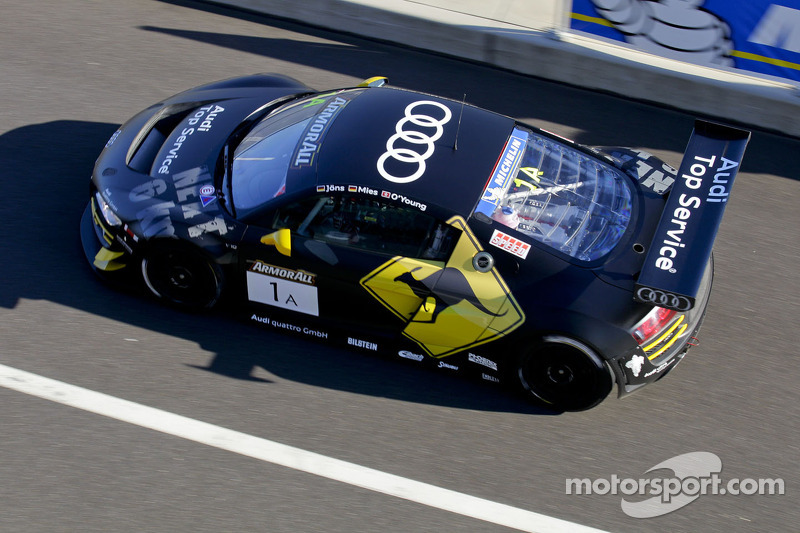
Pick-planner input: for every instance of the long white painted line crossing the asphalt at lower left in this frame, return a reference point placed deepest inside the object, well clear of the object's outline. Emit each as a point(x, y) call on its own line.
point(280, 454)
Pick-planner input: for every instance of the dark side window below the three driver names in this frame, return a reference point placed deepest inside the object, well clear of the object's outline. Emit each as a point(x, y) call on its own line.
point(358, 221)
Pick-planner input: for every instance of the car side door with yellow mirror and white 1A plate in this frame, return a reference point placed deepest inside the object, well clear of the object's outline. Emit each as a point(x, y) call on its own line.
point(311, 256)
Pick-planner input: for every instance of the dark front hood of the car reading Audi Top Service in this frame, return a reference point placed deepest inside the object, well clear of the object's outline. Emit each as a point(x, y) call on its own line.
point(157, 171)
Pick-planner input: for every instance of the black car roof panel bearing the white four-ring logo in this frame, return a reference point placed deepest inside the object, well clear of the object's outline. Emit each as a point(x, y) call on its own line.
point(424, 147)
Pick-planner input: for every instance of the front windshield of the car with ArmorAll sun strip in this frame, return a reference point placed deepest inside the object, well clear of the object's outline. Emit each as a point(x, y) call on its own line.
point(285, 140)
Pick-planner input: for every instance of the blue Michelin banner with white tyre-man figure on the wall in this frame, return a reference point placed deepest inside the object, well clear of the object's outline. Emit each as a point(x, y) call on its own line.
point(760, 36)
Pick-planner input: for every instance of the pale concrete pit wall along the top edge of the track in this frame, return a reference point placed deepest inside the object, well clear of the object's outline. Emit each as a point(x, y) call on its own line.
point(536, 44)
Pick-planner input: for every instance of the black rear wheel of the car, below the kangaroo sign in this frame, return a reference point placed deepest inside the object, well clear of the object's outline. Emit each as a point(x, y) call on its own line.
point(564, 374)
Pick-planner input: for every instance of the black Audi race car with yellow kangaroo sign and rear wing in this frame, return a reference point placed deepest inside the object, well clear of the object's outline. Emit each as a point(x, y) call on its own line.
point(407, 224)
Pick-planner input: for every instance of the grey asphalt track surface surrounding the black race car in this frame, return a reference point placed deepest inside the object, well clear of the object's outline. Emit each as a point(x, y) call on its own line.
point(71, 71)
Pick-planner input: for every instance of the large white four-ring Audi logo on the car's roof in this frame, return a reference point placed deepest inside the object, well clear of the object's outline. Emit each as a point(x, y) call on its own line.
point(415, 137)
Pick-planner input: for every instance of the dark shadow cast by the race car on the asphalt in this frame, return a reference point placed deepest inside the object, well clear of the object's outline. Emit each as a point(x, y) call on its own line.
point(45, 184)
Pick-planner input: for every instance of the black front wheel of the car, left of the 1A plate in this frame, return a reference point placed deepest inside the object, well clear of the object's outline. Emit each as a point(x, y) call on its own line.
point(182, 277)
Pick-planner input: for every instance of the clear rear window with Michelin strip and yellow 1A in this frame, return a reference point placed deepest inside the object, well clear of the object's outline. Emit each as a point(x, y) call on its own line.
point(558, 196)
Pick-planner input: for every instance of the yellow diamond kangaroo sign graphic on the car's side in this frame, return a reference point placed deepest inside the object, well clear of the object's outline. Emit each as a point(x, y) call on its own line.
point(449, 307)
